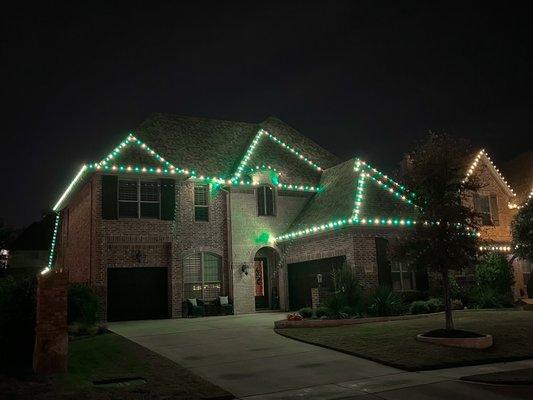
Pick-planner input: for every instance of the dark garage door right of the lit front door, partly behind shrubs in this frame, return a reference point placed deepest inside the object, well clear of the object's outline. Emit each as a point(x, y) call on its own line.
point(303, 277)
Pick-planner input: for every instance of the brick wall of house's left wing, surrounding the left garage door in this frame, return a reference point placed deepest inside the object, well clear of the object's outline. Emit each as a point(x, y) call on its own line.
point(89, 245)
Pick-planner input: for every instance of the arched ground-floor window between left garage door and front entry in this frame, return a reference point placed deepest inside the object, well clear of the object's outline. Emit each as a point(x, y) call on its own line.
point(202, 276)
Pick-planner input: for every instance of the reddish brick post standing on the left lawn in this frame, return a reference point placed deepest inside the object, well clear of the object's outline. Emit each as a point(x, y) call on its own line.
point(50, 354)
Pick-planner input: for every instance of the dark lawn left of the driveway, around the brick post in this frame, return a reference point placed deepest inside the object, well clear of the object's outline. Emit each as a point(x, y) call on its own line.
point(109, 356)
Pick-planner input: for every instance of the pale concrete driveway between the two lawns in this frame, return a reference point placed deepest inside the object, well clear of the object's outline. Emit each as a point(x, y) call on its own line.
point(243, 355)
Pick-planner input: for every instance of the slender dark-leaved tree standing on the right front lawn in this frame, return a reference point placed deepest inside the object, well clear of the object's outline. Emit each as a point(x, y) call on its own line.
point(444, 237)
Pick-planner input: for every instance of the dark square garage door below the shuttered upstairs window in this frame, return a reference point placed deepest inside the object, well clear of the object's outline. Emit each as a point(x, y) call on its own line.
point(137, 293)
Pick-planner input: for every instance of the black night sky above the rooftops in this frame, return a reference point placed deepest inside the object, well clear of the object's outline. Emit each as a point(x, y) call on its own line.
point(359, 78)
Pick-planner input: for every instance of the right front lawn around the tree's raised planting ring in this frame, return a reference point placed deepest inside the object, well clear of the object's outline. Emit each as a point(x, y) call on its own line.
point(394, 342)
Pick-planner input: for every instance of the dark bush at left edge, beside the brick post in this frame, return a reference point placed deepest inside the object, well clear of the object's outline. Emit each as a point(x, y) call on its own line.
point(17, 322)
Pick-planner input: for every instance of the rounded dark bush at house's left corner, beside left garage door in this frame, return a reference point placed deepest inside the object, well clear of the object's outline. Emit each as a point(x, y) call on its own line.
point(82, 305)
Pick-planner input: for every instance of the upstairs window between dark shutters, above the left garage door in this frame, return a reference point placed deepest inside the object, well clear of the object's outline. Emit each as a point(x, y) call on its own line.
point(138, 199)
